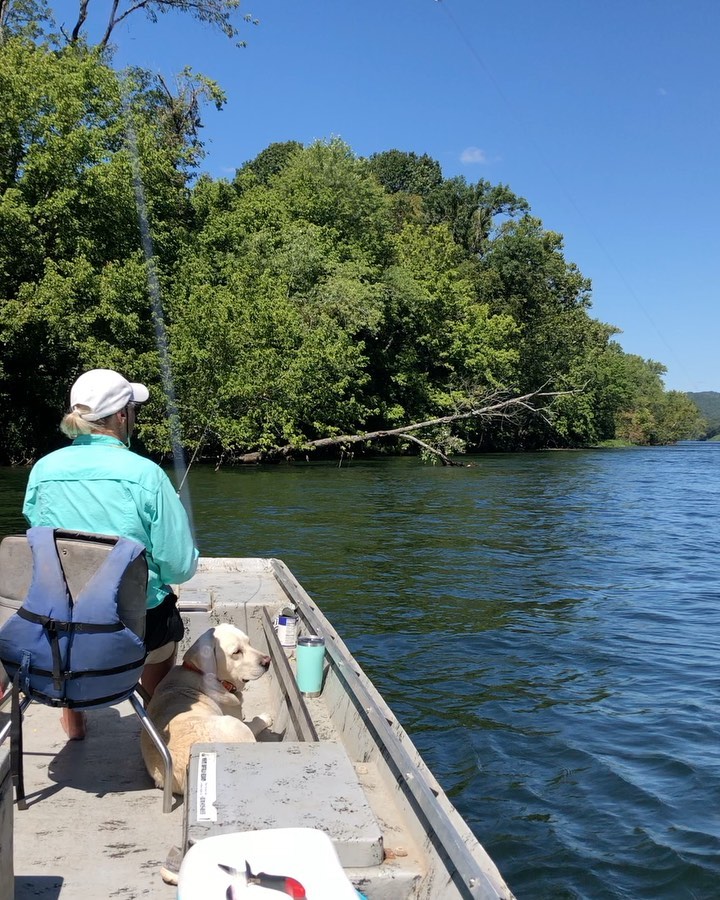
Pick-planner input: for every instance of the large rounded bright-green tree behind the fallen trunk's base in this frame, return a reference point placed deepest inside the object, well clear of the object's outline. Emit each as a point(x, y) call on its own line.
point(272, 302)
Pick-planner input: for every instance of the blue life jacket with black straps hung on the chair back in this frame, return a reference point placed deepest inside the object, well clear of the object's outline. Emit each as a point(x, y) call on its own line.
point(72, 651)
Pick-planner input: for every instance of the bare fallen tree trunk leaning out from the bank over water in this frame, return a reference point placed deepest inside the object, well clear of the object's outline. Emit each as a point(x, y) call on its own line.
point(493, 407)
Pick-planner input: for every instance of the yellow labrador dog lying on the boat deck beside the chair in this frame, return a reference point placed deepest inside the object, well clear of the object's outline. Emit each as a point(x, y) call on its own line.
point(201, 700)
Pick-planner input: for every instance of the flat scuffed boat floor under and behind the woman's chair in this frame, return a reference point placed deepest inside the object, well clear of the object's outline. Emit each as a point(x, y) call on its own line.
point(94, 825)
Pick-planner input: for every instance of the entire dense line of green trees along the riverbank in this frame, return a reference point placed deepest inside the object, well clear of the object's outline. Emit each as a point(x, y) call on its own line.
point(317, 293)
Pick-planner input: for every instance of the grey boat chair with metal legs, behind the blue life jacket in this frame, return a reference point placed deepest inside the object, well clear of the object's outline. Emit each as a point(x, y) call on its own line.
point(81, 555)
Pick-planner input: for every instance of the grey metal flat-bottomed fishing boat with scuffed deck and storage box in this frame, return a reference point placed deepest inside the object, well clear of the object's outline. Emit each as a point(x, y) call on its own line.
point(94, 826)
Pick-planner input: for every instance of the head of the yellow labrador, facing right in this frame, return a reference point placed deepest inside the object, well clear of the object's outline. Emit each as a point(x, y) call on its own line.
point(225, 652)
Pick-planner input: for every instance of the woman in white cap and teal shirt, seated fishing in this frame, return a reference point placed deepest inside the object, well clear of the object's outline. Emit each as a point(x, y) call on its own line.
point(98, 484)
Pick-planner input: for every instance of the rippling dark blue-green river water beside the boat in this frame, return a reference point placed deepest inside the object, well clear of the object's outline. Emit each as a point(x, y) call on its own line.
point(546, 628)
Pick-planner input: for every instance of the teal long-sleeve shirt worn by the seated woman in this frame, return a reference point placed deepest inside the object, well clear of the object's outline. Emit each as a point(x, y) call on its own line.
point(96, 484)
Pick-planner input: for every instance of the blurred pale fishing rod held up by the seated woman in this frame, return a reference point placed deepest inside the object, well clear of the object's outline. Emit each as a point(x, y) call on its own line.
point(158, 316)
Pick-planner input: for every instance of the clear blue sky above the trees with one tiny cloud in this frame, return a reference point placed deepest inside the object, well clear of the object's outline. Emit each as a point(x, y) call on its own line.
point(605, 116)
